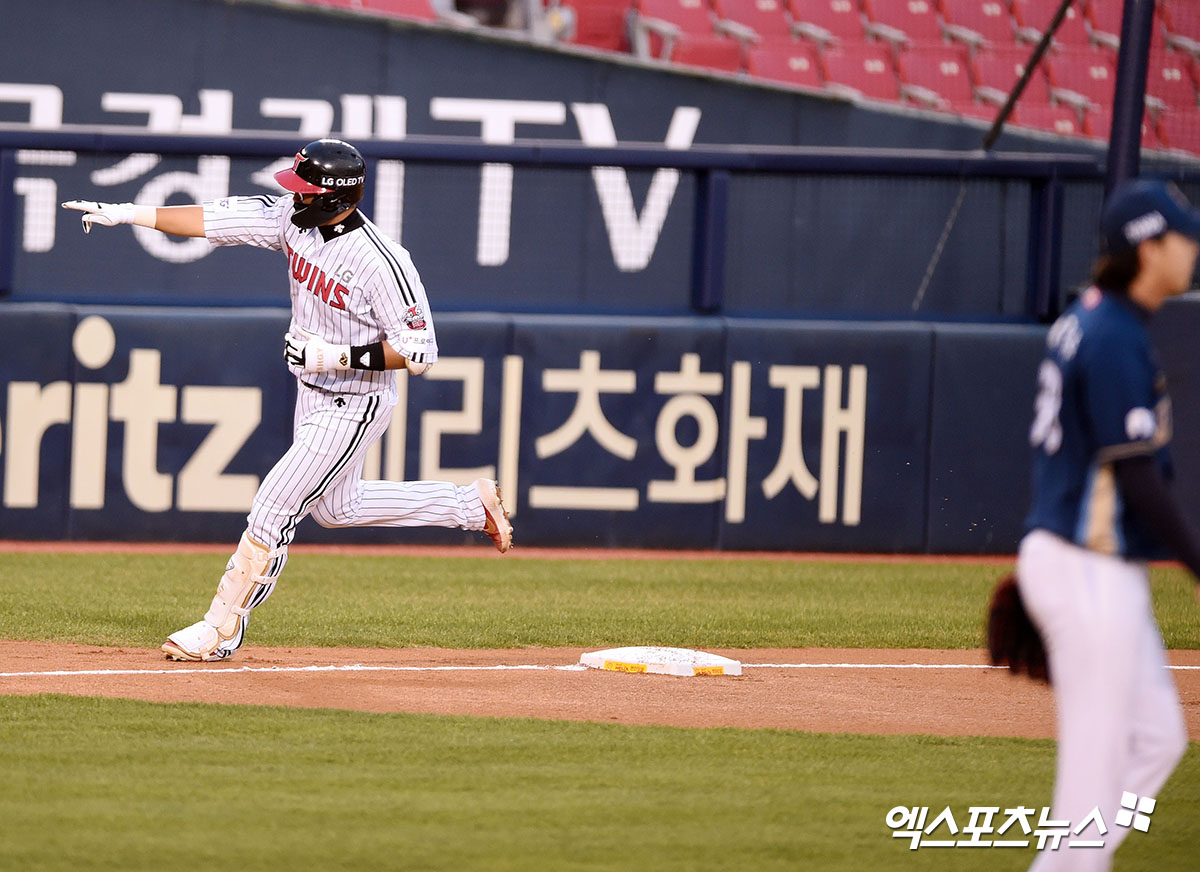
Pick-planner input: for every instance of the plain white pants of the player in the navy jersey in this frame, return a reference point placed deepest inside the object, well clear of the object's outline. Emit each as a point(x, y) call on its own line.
point(1120, 720)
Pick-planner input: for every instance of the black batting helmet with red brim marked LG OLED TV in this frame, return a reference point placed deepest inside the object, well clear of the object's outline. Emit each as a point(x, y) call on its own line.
point(334, 172)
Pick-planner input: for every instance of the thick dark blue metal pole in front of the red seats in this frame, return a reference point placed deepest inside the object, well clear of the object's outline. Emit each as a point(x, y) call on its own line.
point(1130, 97)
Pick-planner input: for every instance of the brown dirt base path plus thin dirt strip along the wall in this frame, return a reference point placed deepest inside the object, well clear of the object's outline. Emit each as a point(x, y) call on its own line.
point(789, 689)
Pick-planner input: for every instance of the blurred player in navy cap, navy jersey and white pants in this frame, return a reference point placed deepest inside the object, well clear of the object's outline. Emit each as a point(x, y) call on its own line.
point(1101, 509)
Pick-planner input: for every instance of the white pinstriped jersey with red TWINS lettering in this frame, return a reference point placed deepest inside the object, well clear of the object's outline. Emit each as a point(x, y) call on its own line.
point(350, 284)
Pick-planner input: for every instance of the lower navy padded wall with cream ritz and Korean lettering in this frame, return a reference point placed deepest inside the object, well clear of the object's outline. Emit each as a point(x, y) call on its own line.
point(154, 424)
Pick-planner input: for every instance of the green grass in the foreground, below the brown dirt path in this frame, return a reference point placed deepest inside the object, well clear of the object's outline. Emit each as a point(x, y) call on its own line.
point(118, 785)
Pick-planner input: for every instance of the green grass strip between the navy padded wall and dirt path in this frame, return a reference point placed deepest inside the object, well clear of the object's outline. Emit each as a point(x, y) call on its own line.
point(464, 603)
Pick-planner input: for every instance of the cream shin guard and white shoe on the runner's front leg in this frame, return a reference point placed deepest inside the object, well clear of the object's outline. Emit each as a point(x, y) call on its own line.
point(243, 587)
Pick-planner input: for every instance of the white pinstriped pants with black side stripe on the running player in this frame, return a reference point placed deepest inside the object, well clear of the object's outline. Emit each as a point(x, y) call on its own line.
point(322, 476)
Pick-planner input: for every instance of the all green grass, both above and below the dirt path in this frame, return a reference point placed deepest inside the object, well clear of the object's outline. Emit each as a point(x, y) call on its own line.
point(117, 785)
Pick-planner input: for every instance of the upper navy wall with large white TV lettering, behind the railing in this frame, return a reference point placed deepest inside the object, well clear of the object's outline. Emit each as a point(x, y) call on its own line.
point(585, 239)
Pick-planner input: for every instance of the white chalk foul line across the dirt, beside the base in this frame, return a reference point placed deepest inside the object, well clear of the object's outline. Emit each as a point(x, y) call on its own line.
point(574, 667)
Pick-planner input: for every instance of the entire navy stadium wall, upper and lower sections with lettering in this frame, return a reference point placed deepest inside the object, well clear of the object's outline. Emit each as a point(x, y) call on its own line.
point(142, 389)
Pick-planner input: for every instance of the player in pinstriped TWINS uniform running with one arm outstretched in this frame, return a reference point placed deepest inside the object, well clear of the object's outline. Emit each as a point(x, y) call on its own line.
point(358, 311)
